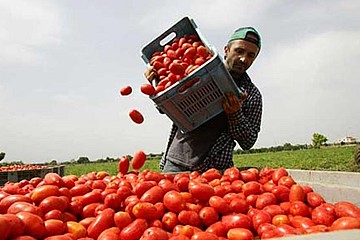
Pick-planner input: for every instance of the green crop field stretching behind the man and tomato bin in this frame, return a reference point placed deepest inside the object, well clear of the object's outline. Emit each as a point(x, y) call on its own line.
point(327, 158)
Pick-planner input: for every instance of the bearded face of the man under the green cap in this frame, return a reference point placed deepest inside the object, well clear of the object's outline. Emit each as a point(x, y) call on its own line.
point(240, 54)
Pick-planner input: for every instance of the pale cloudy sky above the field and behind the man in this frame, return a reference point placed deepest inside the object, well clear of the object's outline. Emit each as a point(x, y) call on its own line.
point(62, 63)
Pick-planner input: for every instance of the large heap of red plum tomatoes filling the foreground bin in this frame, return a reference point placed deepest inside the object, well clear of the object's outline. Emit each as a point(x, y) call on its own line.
point(235, 204)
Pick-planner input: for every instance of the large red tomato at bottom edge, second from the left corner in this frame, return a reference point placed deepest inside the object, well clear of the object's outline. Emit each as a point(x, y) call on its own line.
point(33, 224)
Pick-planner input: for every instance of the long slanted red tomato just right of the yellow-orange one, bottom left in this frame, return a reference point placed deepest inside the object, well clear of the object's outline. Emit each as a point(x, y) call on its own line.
point(102, 221)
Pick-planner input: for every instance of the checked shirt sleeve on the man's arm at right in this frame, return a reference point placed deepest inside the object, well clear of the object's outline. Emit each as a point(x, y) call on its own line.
point(244, 125)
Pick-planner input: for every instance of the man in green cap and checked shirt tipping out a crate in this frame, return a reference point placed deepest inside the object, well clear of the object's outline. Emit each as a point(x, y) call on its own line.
point(211, 145)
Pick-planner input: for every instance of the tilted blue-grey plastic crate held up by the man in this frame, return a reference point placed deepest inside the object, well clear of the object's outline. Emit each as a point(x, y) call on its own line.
point(190, 107)
